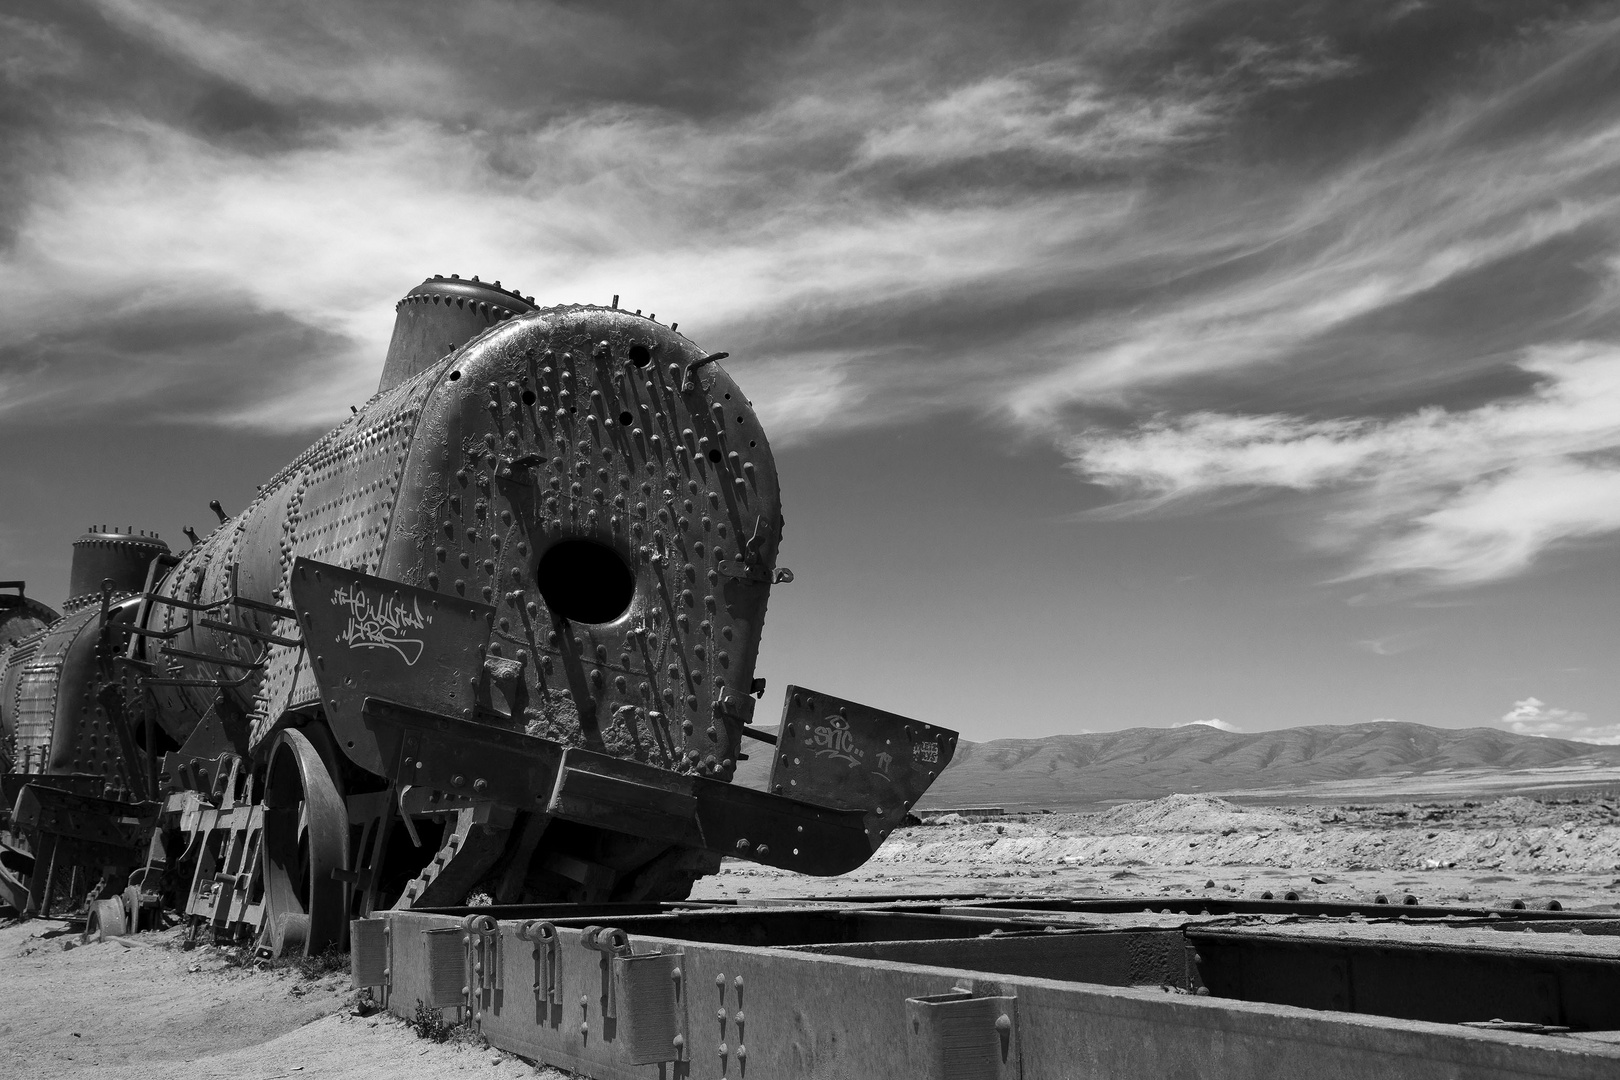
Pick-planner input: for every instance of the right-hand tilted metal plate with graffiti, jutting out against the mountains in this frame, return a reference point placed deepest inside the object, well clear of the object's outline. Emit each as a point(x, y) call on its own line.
point(851, 757)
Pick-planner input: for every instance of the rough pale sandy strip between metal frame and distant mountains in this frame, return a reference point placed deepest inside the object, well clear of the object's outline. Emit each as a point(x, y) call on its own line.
point(1478, 854)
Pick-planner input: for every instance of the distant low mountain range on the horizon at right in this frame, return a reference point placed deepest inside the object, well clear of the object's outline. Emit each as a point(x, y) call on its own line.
point(1342, 762)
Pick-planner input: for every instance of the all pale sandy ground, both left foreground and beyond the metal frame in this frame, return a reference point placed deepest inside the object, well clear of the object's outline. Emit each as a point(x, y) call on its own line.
point(148, 1010)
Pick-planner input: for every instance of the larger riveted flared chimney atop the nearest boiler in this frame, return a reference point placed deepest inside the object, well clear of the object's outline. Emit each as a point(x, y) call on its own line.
point(440, 317)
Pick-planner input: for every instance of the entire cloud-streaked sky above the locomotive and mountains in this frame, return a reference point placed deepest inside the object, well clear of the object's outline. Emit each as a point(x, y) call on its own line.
point(1153, 364)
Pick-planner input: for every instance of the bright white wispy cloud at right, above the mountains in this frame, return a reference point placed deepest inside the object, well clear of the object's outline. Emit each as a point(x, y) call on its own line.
point(1456, 498)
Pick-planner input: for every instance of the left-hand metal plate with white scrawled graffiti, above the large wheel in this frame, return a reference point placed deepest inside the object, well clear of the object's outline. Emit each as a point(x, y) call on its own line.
point(375, 639)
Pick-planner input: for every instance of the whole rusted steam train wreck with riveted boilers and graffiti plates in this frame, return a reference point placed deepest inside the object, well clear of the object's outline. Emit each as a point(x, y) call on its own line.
point(493, 634)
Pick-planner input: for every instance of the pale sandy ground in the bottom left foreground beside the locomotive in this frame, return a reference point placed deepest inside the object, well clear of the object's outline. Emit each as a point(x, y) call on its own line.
point(147, 1010)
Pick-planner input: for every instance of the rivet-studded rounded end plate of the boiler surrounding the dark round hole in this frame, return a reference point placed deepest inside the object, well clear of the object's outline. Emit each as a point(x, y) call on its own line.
point(565, 435)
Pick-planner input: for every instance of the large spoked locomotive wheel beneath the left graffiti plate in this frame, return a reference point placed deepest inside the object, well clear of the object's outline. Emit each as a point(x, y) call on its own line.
point(305, 840)
